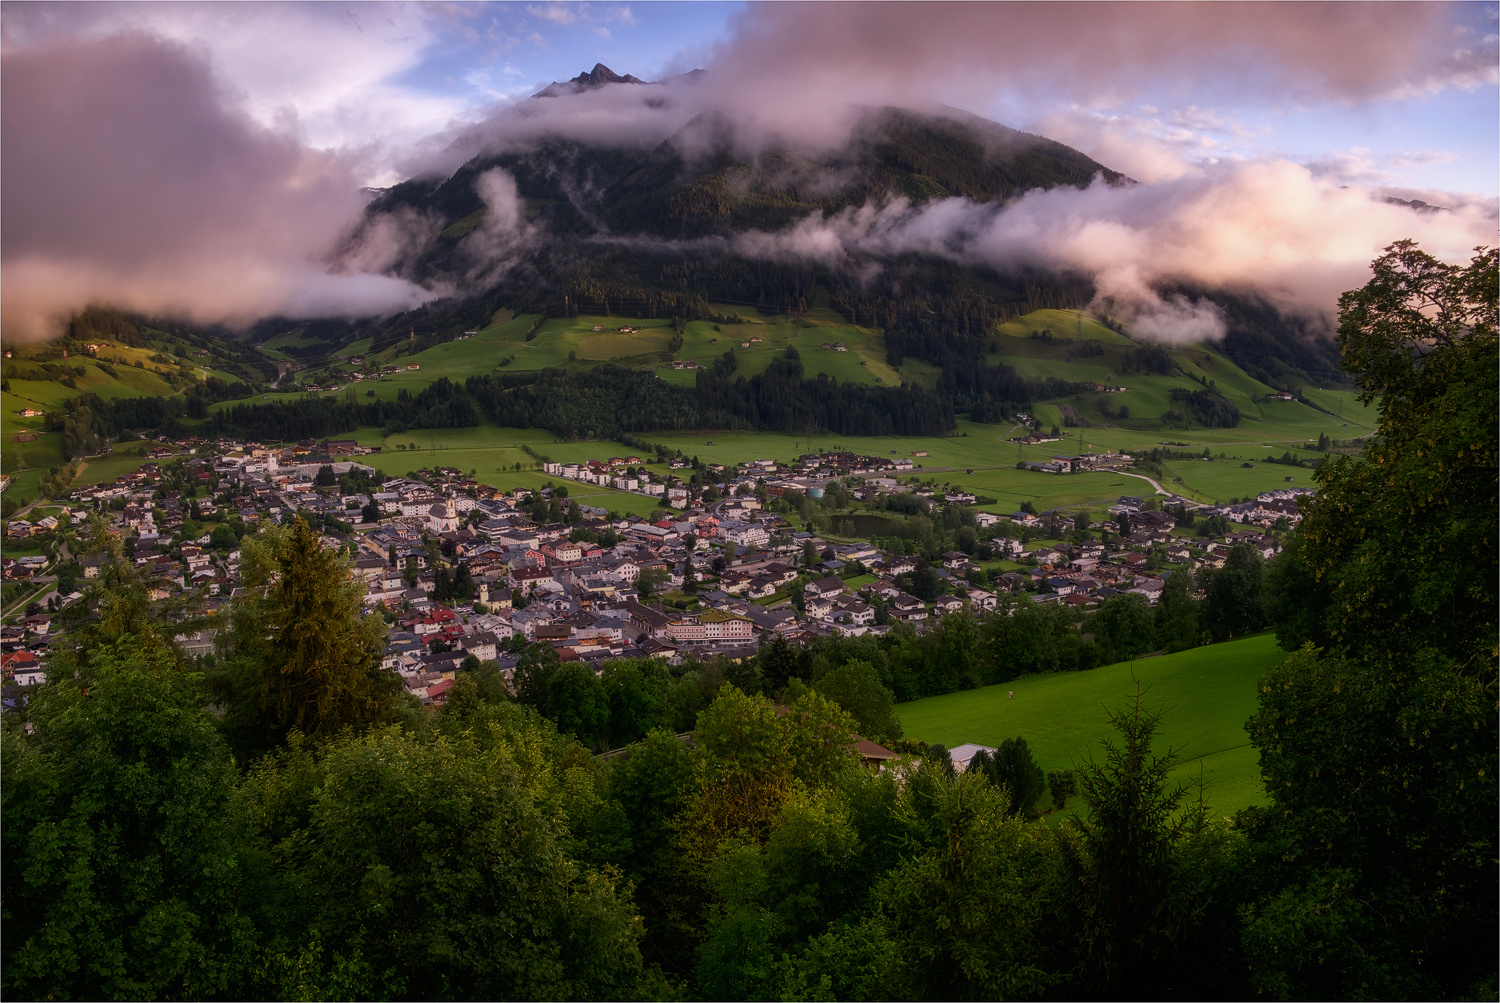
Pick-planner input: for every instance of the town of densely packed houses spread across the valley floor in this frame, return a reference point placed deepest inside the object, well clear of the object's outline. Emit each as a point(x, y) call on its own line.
point(463, 570)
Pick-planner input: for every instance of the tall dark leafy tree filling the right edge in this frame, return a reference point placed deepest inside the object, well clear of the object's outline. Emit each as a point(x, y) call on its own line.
point(1378, 855)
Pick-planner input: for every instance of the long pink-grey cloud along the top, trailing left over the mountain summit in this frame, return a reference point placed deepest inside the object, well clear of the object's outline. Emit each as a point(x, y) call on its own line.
point(799, 73)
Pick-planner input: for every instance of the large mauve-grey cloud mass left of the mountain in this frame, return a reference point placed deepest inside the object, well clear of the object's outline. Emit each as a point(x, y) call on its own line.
point(130, 181)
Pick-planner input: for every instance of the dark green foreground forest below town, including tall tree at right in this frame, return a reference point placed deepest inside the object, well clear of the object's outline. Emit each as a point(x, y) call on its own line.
point(281, 824)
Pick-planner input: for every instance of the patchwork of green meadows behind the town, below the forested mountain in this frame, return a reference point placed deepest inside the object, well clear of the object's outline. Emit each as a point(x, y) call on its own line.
point(977, 457)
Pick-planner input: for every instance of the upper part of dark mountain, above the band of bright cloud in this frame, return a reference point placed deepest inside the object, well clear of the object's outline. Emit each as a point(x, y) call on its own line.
point(580, 190)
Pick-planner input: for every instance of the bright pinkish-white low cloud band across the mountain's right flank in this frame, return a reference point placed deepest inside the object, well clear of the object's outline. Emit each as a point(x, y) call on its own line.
point(1273, 229)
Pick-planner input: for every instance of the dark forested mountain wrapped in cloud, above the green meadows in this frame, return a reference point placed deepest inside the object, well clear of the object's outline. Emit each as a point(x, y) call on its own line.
point(650, 230)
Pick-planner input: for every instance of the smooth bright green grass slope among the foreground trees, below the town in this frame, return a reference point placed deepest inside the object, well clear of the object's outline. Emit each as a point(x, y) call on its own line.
point(1208, 695)
